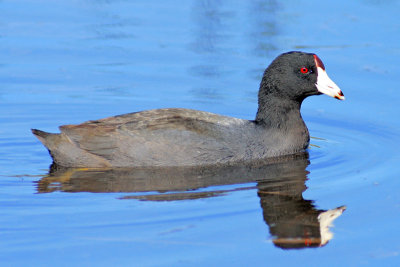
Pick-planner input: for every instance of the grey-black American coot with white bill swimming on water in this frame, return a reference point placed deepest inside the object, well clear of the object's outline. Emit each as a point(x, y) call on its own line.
point(184, 137)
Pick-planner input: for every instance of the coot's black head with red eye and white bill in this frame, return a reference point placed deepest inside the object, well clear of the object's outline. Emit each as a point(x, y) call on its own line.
point(293, 76)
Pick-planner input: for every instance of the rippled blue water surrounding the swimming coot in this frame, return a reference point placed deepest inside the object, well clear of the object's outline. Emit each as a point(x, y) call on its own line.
point(65, 62)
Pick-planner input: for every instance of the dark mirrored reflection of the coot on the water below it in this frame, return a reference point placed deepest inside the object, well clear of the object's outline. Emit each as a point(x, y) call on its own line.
point(294, 222)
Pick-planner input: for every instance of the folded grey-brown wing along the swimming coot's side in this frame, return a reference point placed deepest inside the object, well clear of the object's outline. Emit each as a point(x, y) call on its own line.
point(160, 137)
